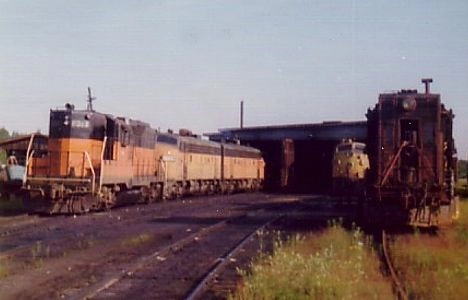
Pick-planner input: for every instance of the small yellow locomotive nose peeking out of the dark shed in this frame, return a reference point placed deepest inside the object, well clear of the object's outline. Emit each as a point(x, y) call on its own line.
point(350, 164)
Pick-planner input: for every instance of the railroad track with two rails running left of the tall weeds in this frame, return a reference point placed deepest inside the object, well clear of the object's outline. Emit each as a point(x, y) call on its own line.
point(211, 248)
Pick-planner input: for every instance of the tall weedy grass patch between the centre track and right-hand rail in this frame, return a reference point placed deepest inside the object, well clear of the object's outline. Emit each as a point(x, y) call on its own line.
point(335, 264)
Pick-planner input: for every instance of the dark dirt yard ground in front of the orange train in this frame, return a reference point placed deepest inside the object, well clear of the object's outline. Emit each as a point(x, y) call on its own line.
point(156, 251)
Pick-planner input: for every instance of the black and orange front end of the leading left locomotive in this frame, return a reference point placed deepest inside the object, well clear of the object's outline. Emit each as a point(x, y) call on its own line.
point(71, 169)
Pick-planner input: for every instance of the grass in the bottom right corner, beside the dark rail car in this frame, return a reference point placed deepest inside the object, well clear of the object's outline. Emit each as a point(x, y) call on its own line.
point(435, 267)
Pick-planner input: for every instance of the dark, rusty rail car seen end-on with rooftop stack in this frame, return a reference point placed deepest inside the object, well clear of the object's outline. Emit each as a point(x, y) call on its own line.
point(412, 158)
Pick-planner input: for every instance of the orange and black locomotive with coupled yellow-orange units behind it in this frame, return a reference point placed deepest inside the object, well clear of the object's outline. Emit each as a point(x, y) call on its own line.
point(96, 161)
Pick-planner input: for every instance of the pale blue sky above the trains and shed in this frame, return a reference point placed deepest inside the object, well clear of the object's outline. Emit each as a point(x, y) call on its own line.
point(188, 64)
